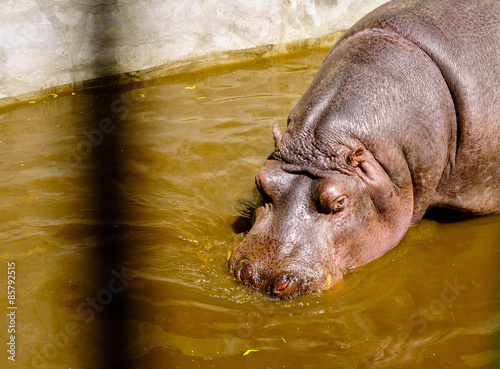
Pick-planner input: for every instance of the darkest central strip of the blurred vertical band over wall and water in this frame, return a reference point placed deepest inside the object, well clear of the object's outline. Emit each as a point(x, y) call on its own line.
point(104, 172)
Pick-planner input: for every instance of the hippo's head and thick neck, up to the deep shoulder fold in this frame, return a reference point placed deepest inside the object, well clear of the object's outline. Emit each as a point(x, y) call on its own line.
point(344, 182)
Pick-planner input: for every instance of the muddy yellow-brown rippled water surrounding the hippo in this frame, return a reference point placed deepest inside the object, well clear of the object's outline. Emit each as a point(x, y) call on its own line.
point(117, 209)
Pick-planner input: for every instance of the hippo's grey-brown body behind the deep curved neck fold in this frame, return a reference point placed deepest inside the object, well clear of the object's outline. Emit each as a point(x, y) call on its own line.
point(463, 38)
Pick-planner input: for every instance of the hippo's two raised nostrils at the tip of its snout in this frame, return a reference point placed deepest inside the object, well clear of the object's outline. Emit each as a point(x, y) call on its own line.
point(283, 285)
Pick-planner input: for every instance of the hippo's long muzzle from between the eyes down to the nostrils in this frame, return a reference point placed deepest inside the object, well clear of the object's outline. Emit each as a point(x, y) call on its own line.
point(287, 252)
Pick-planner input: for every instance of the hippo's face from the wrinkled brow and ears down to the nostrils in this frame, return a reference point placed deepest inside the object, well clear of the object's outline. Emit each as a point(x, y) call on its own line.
point(318, 215)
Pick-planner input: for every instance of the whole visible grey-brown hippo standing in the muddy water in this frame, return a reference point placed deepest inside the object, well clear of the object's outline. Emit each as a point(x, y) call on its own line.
point(402, 116)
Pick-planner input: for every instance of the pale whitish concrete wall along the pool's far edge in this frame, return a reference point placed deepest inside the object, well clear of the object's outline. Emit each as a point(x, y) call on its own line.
point(46, 43)
